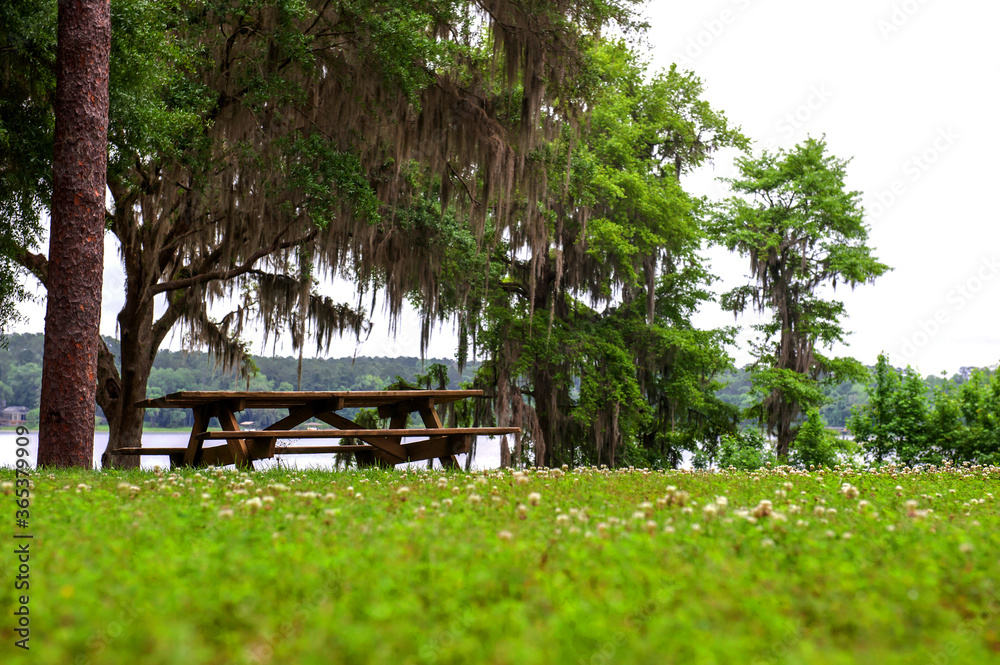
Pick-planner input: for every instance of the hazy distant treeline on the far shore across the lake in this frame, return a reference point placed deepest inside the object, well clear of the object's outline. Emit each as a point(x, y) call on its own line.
point(21, 375)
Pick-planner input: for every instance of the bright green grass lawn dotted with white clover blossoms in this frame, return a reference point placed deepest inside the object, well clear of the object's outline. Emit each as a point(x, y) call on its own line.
point(586, 566)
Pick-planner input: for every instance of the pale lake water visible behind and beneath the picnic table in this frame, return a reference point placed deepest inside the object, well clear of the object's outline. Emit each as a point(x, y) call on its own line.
point(487, 452)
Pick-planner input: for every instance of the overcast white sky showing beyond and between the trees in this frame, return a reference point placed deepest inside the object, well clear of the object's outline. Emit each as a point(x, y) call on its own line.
point(905, 88)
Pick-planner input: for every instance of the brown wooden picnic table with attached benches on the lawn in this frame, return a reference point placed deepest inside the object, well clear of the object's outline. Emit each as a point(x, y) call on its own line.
point(379, 446)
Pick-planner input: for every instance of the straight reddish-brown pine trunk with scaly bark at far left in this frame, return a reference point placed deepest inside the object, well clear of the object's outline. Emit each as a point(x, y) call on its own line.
point(76, 243)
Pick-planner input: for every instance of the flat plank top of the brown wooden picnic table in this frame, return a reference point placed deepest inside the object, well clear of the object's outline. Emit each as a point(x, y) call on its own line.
point(277, 399)
